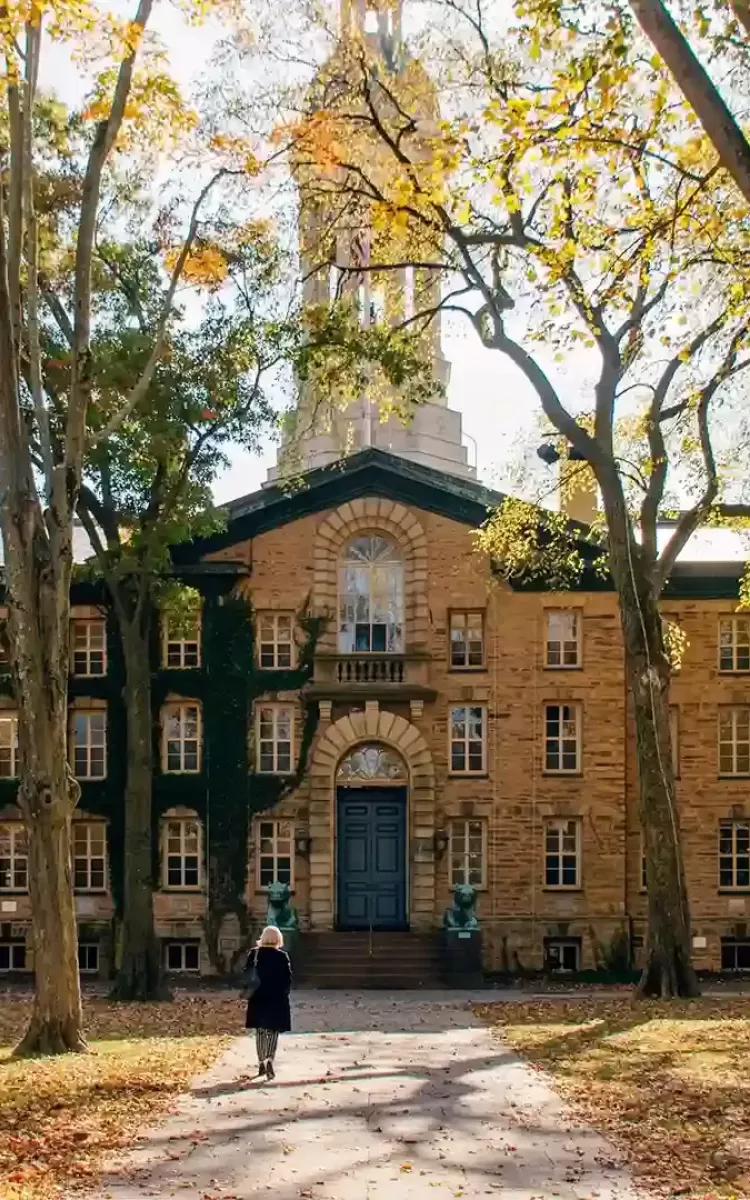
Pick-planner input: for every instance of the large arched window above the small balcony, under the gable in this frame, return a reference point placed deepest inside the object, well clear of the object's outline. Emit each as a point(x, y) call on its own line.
point(371, 598)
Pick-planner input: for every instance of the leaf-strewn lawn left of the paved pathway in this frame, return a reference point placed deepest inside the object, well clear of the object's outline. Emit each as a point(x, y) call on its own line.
point(59, 1118)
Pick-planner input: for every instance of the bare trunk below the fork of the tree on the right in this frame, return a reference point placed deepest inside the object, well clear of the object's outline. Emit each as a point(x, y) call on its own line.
point(669, 970)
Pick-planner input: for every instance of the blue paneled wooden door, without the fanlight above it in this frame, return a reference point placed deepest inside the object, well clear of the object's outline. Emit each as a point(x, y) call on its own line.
point(371, 868)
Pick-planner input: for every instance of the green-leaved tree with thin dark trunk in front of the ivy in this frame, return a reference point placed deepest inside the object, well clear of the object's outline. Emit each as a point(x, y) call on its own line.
point(148, 487)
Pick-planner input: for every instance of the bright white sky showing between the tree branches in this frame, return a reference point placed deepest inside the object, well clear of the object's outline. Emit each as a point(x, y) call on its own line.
point(497, 405)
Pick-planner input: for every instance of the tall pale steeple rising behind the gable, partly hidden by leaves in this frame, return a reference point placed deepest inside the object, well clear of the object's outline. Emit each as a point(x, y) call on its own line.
point(433, 435)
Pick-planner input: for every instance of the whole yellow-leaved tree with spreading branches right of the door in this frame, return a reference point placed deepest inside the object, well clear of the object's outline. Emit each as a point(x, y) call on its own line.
point(569, 203)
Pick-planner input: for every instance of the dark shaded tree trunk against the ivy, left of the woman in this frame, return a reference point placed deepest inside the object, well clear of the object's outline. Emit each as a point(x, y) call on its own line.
point(141, 976)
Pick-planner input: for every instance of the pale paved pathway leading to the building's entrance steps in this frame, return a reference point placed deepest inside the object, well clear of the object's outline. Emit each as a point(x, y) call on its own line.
point(376, 1099)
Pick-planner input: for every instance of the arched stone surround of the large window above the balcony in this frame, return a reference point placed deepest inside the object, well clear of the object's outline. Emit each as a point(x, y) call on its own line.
point(391, 520)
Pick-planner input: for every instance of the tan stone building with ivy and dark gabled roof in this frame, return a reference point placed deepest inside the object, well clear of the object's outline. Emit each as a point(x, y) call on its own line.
point(364, 713)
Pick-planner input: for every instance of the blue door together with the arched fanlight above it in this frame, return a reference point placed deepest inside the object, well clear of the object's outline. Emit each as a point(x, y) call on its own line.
point(371, 839)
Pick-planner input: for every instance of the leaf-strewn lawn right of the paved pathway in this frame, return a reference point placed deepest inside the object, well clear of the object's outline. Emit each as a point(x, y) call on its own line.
point(671, 1083)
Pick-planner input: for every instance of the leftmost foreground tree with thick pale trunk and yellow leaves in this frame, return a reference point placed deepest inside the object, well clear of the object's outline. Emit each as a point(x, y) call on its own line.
point(43, 446)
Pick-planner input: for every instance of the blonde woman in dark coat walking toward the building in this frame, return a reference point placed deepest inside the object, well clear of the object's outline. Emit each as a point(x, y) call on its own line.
point(268, 1007)
